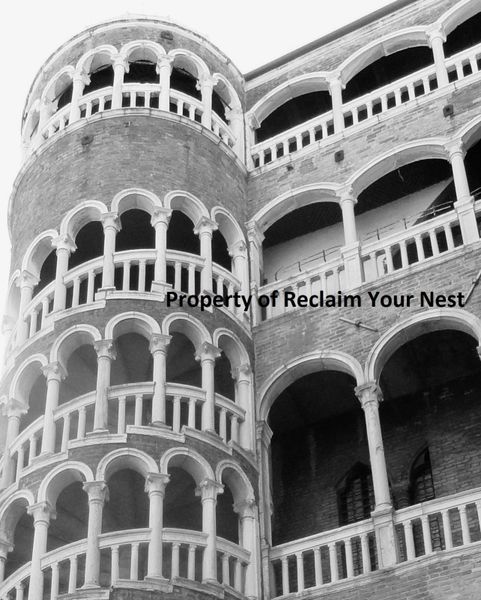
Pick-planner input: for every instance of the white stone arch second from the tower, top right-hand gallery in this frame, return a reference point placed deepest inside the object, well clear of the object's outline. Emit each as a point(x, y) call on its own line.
point(389, 44)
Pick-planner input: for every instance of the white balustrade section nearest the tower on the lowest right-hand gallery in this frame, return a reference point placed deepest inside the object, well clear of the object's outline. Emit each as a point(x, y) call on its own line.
point(327, 557)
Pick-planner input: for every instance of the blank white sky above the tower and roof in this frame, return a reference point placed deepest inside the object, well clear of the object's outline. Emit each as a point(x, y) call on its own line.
point(250, 32)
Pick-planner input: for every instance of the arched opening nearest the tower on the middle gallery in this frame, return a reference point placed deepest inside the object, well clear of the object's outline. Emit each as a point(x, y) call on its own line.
point(302, 238)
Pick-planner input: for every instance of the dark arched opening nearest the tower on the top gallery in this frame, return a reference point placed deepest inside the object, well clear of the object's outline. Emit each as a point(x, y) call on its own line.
point(294, 112)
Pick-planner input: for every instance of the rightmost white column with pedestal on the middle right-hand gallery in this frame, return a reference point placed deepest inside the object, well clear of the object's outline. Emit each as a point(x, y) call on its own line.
point(464, 204)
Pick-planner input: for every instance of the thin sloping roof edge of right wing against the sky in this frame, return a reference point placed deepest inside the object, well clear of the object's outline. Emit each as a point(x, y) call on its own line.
point(329, 37)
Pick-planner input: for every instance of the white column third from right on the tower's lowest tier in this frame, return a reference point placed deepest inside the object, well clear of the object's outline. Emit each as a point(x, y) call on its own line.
point(155, 486)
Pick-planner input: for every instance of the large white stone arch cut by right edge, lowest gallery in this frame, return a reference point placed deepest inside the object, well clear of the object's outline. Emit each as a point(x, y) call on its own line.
point(408, 329)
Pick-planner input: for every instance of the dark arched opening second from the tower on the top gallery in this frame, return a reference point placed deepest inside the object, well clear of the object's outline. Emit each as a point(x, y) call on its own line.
point(387, 69)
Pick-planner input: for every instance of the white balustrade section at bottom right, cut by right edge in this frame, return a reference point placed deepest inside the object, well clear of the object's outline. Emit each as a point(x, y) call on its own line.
point(440, 524)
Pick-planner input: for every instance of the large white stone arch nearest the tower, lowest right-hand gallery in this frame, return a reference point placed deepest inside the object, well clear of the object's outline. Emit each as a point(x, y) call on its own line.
point(289, 372)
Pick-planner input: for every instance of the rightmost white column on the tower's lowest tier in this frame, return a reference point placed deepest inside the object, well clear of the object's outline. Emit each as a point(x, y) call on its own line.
point(249, 539)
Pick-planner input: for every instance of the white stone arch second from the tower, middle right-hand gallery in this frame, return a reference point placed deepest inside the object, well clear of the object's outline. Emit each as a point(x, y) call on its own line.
point(395, 158)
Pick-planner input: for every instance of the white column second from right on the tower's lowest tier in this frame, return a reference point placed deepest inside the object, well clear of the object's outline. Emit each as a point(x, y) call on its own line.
point(208, 490)
